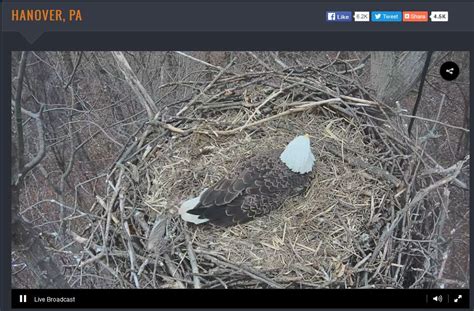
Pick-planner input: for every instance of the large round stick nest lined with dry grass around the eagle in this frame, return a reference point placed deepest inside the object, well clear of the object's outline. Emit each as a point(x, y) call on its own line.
point(368, 220)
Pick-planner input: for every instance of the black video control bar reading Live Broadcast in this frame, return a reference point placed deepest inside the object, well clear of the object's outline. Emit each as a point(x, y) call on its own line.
point(286, 298)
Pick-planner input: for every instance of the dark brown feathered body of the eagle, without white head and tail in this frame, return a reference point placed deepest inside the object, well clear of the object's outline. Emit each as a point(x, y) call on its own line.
point(256, 186)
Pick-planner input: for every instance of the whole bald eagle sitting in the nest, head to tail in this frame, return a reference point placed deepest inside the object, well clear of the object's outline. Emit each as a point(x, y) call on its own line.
point(258, 185)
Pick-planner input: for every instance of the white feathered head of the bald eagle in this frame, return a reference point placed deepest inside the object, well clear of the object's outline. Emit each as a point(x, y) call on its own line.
point(298, 156)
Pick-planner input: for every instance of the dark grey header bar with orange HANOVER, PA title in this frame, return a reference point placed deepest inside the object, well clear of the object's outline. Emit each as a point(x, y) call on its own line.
point(33, 19)
